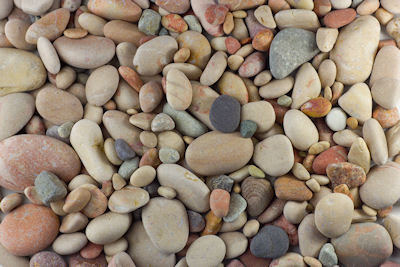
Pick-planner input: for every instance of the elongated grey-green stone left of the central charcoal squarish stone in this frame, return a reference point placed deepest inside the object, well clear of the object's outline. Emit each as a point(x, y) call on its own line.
point(185, 123)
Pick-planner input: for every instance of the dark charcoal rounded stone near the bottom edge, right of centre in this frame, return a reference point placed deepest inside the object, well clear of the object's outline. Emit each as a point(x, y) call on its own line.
point(270, 242)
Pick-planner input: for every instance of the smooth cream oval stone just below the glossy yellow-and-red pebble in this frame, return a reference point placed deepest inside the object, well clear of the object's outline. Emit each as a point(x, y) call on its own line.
point(300, 129)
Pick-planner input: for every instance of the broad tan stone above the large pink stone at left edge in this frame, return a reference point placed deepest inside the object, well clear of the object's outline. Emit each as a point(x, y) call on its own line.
point(58, 106)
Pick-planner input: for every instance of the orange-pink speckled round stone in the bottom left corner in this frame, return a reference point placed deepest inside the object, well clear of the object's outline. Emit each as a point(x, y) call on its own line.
point(28, 229)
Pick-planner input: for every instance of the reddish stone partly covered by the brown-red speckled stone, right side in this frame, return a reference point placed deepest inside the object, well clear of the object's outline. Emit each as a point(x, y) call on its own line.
point(334, 154)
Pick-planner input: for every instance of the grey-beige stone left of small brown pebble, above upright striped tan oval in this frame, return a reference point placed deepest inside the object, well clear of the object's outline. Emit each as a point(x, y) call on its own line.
point(152, 56)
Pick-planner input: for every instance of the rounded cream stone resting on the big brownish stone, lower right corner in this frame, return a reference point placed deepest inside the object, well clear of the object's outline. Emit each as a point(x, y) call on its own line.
point(333, 214)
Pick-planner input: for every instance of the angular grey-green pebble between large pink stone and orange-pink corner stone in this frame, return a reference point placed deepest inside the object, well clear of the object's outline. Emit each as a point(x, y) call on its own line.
point(49, 187)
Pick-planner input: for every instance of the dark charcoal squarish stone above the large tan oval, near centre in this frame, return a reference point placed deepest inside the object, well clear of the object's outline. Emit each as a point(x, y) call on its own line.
point(225, 114)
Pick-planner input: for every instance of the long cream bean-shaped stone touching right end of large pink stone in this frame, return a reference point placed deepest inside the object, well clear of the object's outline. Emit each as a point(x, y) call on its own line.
point(87, 140)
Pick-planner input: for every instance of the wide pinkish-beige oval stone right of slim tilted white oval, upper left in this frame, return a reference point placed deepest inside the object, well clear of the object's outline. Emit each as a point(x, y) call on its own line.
point(79, 53)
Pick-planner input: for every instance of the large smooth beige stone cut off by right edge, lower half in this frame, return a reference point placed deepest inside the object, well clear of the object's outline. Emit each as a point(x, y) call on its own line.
point(382, 188)
